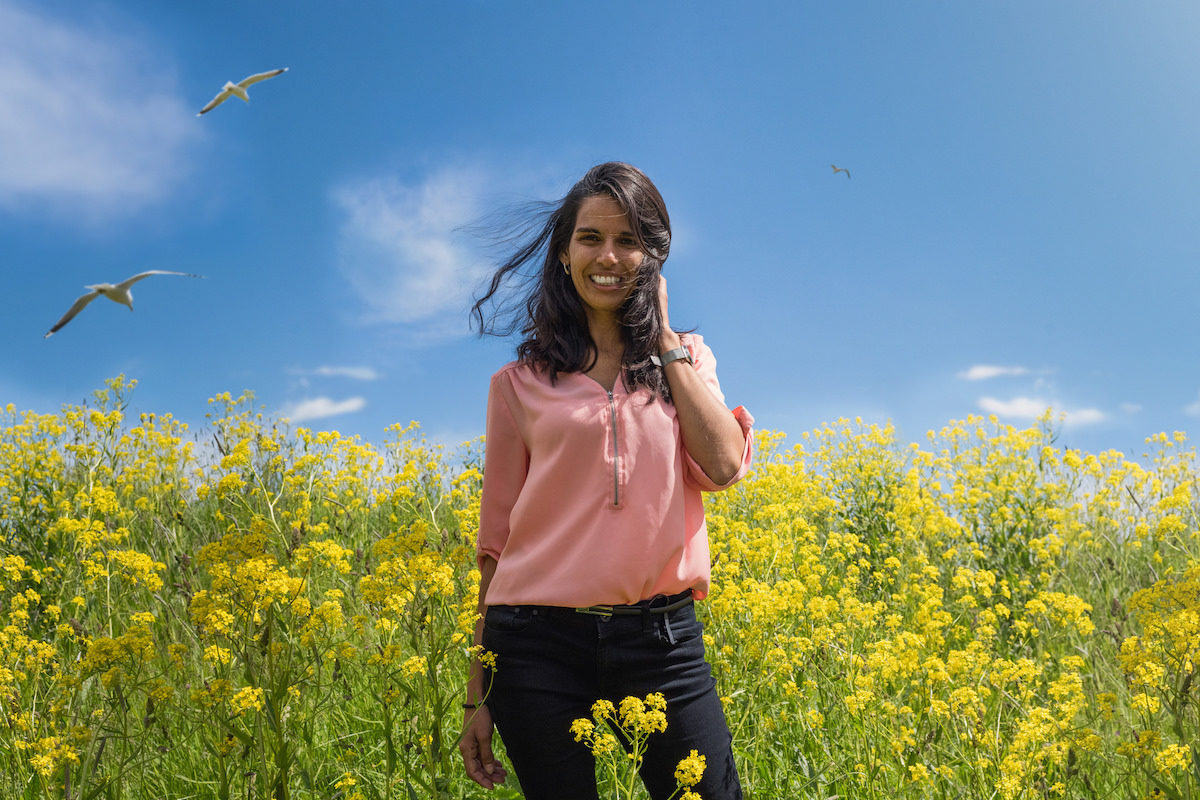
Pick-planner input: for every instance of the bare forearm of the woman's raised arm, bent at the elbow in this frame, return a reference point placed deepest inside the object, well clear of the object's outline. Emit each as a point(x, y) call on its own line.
point(710, 432)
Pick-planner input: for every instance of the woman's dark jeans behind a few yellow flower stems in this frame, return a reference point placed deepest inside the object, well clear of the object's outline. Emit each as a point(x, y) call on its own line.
point(551, 666)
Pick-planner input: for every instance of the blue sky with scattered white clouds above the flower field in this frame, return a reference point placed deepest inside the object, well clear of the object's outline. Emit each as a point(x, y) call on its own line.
point(1022, 226)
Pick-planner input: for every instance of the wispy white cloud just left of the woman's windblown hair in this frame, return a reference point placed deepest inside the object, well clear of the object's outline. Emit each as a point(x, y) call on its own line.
point(401, 254)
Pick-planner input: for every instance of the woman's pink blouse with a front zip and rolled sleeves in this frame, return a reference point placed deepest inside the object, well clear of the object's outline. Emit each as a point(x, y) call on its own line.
point(590, 497)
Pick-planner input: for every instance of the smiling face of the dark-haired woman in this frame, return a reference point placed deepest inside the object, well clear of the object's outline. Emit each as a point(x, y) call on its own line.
point(604, 256)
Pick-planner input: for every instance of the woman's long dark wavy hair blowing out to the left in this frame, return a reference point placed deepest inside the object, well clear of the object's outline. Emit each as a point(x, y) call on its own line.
point(549, 310)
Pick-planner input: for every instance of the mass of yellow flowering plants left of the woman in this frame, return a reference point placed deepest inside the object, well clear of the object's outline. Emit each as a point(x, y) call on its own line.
point(251, 597)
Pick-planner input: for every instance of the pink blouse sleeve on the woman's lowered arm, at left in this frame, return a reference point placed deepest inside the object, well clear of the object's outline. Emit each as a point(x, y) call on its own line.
point(506, 466)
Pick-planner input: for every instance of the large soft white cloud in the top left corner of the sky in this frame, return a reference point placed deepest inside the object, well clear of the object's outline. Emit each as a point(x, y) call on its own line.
point(92, 124)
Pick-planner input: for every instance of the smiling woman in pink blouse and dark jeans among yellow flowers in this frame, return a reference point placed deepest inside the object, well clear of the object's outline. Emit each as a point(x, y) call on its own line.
point(592, 542)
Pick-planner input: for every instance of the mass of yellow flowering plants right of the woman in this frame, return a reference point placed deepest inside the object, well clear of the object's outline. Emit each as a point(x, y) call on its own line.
point(927, 610)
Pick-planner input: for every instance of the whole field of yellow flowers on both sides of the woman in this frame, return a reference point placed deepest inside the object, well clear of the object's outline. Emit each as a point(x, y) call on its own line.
point(253, 611)
